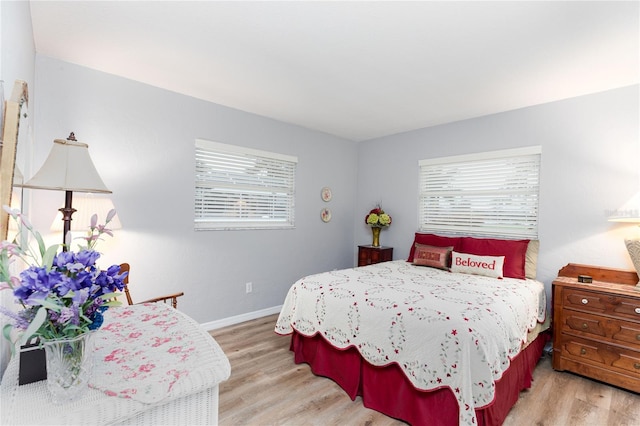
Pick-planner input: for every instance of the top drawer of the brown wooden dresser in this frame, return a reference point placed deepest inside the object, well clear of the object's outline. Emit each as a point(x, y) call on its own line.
point(602, 303)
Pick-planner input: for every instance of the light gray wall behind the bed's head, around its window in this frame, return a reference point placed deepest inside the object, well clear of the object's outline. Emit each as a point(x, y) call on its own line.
point(590, 165)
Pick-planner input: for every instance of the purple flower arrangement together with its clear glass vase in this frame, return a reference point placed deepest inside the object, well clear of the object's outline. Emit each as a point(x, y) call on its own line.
point(63, 296)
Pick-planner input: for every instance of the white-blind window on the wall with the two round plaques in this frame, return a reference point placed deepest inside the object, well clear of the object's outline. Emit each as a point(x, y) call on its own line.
point(243, 188)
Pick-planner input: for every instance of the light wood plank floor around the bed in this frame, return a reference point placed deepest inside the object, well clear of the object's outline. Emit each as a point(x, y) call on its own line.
point(267, 388)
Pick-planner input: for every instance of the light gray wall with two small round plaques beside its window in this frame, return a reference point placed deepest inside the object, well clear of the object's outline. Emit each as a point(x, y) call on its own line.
point(141, 140)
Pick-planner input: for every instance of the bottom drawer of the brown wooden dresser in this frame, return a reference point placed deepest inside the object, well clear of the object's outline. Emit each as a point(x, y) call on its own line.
point(590, 352)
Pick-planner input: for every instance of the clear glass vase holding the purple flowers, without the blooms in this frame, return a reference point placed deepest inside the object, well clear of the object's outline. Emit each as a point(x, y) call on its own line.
point(69, 366)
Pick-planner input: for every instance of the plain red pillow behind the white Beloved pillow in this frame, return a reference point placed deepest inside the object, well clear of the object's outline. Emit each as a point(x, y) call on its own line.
point(514, 252)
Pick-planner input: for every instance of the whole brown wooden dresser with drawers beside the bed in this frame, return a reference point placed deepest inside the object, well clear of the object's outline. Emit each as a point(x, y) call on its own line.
point(596, 326)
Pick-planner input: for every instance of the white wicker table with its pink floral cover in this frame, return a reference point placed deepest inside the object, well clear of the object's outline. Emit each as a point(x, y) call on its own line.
point(153, 365)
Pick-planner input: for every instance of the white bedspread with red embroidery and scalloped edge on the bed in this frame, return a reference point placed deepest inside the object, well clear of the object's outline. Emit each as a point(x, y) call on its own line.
point(441, 328)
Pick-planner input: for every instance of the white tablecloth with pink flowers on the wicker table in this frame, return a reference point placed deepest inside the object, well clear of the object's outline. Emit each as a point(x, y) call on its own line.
point(124, 365)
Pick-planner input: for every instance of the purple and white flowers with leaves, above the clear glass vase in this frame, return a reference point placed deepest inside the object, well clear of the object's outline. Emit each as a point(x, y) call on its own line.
point(70, 290)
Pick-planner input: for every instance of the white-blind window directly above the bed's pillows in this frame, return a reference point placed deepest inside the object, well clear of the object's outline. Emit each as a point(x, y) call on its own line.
point(486, 194)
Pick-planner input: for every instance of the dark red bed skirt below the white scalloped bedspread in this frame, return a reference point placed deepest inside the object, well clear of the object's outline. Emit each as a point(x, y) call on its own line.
point(387, 390)
